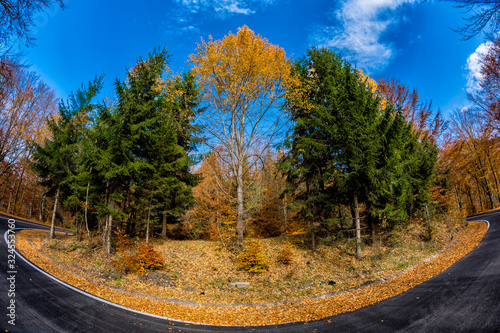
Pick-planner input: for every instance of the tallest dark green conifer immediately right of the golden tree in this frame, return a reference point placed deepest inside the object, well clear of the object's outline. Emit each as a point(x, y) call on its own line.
point(333, 144)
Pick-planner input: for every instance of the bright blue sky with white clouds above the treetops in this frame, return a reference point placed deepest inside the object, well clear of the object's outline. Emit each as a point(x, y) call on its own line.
point(410, 40)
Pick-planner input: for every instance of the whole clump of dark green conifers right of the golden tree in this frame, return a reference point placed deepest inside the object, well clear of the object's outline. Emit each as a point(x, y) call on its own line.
point(346, 147)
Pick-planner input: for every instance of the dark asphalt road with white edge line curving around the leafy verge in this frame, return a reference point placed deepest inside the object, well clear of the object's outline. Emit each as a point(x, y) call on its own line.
point(464, 298)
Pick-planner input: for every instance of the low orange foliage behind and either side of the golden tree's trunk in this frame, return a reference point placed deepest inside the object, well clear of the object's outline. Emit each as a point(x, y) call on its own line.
point(214, 214)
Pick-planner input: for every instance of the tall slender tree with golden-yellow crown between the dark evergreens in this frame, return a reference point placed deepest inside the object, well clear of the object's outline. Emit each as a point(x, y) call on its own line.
point(243, 79)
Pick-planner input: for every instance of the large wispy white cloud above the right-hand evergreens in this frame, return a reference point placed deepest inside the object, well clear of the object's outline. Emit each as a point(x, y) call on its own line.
point(358, 30)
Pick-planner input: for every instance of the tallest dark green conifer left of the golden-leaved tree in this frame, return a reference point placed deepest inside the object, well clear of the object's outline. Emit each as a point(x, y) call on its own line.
point(144, 140)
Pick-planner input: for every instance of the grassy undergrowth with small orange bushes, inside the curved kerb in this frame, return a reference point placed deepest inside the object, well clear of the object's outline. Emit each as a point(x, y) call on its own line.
point(278, 269)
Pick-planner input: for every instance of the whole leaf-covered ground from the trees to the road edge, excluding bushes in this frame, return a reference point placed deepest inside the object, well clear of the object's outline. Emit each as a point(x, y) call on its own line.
point(311, 286)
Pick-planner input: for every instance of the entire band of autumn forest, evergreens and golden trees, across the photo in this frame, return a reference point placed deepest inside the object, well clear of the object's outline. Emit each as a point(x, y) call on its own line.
point(246, 144)
